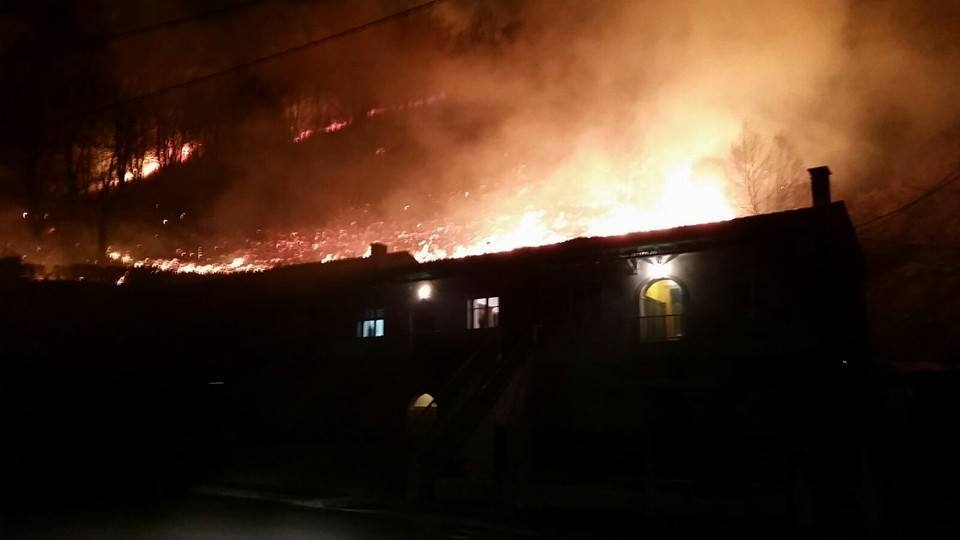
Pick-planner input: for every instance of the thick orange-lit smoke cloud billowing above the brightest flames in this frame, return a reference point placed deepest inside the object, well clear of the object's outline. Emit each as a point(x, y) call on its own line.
point(577, 98)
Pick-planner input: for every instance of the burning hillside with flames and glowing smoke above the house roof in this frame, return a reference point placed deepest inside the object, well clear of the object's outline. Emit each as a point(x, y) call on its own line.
point(459, 128)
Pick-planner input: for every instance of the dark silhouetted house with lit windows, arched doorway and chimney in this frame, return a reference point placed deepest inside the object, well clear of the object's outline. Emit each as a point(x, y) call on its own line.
point(713, 360)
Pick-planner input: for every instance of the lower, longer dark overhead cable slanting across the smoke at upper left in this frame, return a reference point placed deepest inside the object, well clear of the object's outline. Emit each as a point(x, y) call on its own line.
point(263, 59)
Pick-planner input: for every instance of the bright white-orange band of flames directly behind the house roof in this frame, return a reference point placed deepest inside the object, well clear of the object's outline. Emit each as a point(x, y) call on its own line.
point(684, 197)
